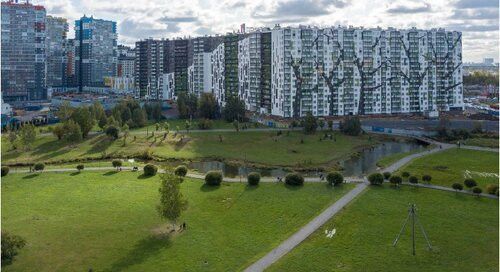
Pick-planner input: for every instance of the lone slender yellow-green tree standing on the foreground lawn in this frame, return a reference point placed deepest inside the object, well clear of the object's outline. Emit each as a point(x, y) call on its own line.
point(172, 202)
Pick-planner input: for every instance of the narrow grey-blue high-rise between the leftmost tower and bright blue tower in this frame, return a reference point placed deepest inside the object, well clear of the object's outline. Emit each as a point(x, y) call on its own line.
point(56, 39)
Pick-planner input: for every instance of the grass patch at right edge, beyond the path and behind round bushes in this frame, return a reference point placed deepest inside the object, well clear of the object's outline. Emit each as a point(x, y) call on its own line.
point(449, 166)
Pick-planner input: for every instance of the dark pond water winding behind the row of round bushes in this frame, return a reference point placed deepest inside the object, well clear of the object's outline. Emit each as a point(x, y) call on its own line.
point(357, 166)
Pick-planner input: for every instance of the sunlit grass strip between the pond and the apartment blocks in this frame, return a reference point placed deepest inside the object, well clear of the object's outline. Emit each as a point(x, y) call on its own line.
point(258, 147)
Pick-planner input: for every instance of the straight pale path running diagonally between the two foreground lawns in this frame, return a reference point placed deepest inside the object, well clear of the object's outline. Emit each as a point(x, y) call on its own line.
point(305, 231)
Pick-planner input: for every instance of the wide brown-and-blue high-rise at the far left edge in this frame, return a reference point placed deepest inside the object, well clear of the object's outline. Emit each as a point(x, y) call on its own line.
point(23, 60)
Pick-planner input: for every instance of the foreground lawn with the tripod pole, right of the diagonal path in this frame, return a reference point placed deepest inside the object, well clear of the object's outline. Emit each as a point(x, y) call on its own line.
point(463, 231)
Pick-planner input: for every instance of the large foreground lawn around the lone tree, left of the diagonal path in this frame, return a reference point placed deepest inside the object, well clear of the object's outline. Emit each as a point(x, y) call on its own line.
point(105, 221)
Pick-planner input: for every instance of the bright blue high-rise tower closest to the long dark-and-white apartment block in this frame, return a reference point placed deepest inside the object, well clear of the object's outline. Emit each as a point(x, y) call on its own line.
point(96, 51)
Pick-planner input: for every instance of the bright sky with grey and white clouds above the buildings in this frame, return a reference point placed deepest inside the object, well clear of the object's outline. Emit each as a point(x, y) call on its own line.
point(140, 19)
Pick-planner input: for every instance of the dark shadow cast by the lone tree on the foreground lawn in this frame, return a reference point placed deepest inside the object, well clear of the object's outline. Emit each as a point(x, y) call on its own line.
point(143, 250)
